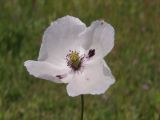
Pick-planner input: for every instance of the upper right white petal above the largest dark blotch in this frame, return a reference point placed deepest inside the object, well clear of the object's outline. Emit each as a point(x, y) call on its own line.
point(99, 36)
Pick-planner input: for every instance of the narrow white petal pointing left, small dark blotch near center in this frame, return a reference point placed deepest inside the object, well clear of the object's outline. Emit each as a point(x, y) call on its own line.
point(47, 71)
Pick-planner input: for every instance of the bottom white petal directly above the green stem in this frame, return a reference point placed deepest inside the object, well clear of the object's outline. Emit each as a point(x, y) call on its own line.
point(96, 78)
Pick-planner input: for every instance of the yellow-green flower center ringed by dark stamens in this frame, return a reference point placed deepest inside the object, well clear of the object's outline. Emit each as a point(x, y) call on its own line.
point(74, 60)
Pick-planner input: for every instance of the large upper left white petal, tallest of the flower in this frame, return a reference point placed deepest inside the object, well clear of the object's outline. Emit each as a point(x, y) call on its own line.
point(59, 38)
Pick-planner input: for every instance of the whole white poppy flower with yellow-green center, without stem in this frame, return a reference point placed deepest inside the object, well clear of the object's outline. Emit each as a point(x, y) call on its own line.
point(73, 53)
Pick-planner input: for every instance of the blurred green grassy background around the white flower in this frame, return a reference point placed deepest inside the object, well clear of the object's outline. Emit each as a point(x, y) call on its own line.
point(134, 61)
